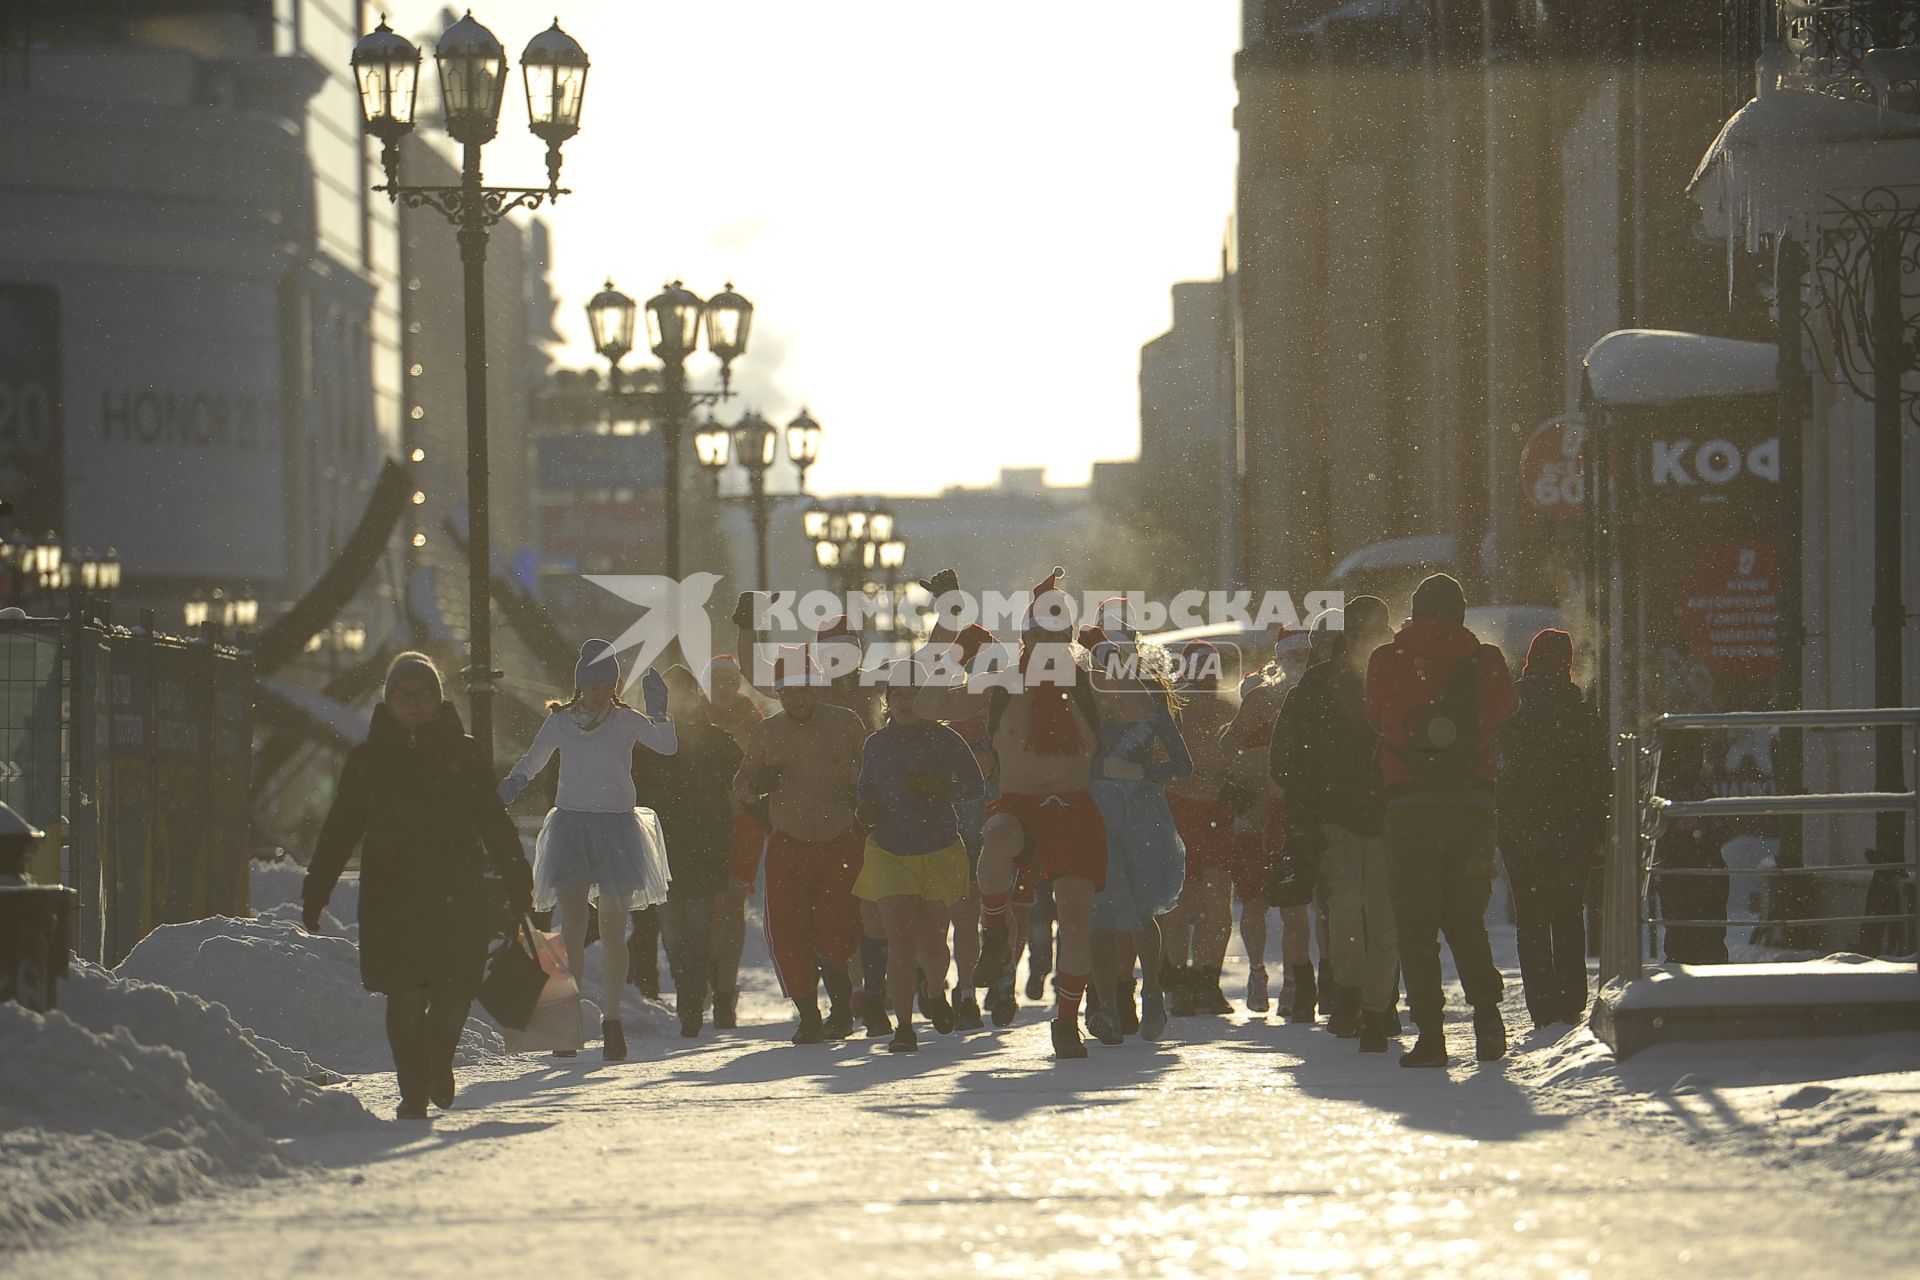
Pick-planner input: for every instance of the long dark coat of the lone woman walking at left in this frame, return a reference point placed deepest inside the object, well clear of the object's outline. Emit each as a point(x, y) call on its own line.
point(427, 818)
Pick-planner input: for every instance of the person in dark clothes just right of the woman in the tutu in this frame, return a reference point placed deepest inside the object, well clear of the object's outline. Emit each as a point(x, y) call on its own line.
point(692, 794)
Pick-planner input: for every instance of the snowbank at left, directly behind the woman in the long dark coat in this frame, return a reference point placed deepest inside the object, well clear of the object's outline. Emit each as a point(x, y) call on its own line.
point(285, 985)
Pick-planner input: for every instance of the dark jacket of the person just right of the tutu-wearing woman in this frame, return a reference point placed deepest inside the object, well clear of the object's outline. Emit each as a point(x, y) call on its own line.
point(694, 795)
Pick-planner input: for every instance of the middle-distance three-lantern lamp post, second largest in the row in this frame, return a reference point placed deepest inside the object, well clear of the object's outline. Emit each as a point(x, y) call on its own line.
point(677, 320)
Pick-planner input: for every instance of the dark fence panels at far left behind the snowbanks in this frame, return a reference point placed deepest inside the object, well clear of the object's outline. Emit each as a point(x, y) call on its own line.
point(133, 751)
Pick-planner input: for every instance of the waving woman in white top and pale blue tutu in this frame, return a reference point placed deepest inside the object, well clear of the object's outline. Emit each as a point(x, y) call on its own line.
point(596, 843)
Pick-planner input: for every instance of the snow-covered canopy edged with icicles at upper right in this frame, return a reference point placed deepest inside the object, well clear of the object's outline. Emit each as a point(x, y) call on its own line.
point(1781, 158)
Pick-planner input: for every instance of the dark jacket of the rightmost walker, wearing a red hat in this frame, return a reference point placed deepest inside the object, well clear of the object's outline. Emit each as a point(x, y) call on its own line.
point(1556, 776)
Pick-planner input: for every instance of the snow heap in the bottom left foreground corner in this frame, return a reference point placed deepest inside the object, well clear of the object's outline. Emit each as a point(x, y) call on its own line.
point(93, 1124)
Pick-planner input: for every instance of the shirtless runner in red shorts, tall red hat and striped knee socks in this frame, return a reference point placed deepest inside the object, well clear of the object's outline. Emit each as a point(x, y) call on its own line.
point(1044, 738)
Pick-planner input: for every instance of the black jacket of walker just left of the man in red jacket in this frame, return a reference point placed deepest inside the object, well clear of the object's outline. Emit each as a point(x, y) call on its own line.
point(1326, 753)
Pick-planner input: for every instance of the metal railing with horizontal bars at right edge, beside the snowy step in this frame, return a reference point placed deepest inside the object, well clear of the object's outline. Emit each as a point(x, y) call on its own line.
point(1643, 817)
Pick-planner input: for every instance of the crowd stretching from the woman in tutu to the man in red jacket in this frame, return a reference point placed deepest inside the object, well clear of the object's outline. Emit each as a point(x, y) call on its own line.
point(1099, 815)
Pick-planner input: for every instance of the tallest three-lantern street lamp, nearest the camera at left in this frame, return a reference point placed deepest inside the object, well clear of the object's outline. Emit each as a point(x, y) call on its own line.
point(473, 80)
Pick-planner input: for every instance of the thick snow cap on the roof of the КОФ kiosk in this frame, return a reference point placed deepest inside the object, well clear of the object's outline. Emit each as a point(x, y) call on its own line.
point(1641, 367)
